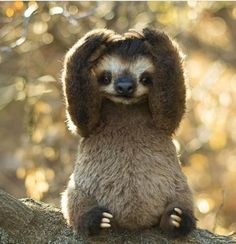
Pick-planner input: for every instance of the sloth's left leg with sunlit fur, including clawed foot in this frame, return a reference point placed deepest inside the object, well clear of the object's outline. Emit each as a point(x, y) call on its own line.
point(82, 212)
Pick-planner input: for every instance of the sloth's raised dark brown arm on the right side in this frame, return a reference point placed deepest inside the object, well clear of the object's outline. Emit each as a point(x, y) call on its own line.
point(167, 97)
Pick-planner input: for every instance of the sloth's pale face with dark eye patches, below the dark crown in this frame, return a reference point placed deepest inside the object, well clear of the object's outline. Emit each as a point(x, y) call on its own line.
point(124, 81)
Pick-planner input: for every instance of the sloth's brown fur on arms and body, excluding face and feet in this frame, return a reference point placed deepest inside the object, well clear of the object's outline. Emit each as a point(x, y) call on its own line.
point(127, 162)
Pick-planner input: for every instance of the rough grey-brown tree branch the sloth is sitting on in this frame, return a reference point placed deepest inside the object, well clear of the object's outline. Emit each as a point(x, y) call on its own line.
point(28, 221)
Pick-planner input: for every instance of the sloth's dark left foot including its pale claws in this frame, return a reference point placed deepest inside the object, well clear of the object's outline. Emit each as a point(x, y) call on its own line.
point(94, 220)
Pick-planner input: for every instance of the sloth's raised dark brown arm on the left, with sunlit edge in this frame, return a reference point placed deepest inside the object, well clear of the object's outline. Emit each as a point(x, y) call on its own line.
point(83, 101)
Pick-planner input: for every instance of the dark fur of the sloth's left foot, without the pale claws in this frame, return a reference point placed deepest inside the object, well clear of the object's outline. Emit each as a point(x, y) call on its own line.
point(89, 222)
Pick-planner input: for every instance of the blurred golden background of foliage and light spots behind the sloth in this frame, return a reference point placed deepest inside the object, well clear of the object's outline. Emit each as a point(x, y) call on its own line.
point(36, 150)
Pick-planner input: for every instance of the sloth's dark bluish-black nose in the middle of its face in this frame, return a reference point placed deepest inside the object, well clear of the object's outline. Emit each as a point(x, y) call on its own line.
point(125, 86)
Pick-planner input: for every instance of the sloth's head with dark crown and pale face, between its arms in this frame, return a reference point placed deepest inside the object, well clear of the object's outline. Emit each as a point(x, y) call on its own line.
point(125, 77)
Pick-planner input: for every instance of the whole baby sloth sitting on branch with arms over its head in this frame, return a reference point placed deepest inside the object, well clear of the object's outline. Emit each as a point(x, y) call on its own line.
point(125, 95)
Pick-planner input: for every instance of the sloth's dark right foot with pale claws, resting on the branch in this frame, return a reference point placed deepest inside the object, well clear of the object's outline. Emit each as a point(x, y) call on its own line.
point(177, 221)
